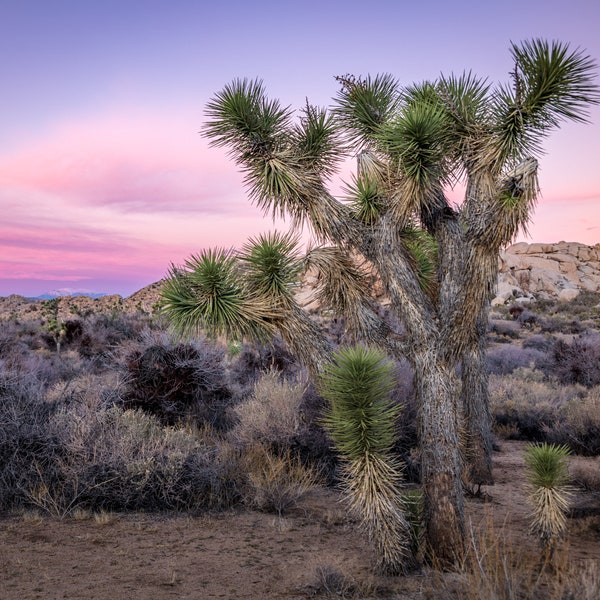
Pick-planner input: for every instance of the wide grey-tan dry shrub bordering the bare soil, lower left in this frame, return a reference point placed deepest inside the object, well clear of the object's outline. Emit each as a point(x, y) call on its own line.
point(126, 460)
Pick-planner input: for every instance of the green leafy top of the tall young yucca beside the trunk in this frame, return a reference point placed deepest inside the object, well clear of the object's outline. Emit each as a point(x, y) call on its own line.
point(358, 384)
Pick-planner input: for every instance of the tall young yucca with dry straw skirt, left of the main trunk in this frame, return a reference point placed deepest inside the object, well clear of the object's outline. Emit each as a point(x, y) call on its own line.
point(360, 420)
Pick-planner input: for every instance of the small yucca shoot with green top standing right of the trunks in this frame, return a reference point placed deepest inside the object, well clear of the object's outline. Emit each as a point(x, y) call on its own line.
point(547, 466)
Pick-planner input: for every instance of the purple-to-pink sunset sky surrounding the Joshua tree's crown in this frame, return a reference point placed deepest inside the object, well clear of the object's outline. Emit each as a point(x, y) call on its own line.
point(105, 178)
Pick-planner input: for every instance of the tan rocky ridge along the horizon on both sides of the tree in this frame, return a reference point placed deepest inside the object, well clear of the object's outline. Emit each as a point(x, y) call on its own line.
point(527, 272)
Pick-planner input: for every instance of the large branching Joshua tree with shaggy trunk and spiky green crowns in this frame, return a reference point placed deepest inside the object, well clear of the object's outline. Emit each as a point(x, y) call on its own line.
point(436, 263)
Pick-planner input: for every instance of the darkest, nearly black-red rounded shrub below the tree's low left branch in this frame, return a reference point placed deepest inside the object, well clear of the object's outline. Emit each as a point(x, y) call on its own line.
point(178, 380)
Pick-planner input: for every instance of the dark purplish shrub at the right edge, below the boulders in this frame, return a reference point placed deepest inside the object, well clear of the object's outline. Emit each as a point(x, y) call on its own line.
point(577, 361)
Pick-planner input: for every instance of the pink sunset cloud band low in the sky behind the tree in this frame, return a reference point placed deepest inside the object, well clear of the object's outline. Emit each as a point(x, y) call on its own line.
point(114, 199)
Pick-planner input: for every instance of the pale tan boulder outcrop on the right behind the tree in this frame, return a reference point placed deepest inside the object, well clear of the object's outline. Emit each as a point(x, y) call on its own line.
point(547, 271)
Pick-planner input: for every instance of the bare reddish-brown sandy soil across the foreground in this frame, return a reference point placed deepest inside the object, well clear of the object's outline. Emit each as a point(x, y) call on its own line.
point(236, 555)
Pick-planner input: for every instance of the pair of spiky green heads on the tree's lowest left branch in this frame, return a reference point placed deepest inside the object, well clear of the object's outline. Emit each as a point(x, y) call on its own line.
point(237, 295)
